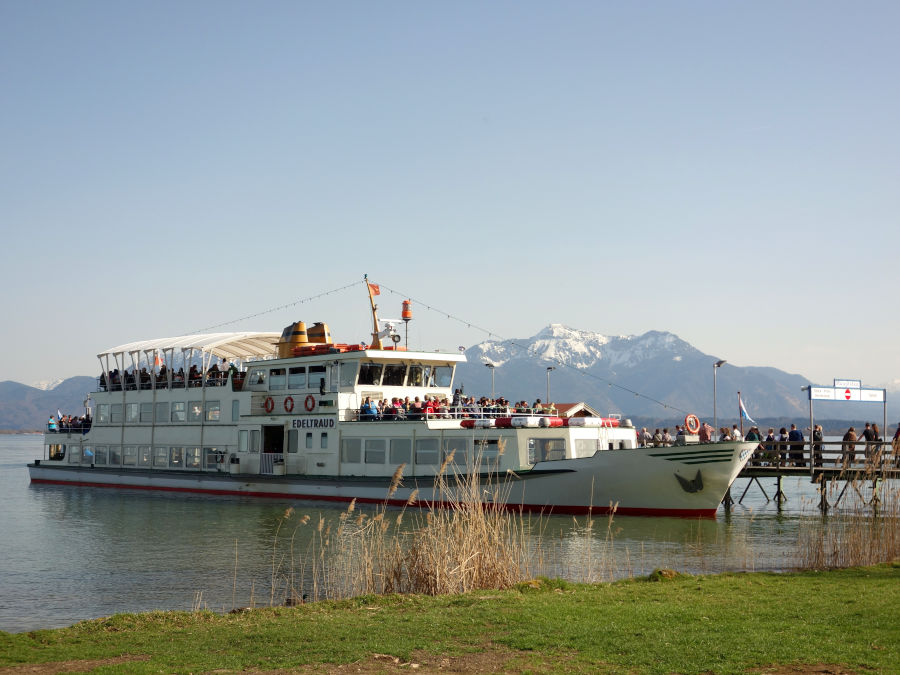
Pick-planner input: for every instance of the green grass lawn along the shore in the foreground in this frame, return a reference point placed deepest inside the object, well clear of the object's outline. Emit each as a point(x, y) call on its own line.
point(811, 622)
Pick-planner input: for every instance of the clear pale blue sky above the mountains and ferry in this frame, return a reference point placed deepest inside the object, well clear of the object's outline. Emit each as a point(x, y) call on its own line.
point(729, 172)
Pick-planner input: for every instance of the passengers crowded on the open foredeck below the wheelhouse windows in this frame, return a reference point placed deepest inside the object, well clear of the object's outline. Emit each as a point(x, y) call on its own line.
point(461, 407)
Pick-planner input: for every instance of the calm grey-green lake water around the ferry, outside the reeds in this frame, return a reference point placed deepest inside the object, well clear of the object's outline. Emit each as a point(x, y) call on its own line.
point(72, 553)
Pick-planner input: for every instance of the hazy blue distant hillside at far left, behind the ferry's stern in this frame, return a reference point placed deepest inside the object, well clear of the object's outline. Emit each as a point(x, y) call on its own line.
point(25, 408)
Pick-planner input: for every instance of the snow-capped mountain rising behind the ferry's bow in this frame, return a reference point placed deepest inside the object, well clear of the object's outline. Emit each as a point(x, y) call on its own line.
point(654, 374)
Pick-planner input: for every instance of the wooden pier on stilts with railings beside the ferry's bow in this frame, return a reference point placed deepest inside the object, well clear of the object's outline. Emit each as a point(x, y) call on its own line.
point(824, 463)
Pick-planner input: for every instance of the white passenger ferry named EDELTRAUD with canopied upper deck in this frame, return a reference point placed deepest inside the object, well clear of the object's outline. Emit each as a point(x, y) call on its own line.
point(284, 417)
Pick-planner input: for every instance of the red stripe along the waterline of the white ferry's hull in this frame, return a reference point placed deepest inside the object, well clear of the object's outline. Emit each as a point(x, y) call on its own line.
point(559, 509)
